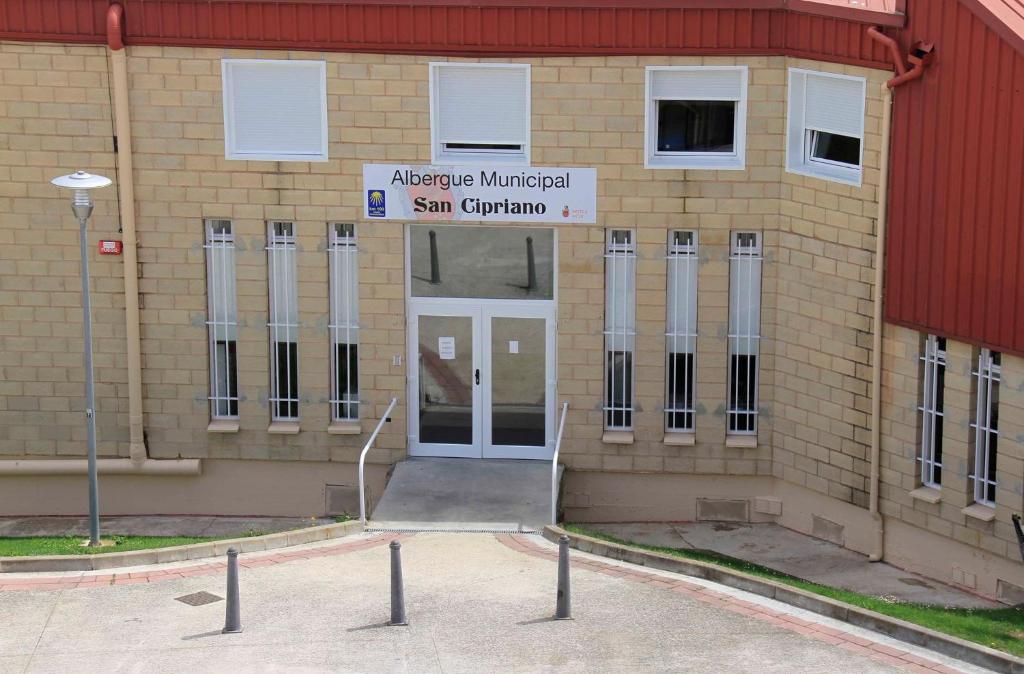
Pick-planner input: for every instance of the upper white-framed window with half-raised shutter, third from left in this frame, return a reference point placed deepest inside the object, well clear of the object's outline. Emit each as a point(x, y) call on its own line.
point(697, 117)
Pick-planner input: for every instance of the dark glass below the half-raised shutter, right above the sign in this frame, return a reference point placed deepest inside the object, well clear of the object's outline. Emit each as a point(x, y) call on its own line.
point(697, 127)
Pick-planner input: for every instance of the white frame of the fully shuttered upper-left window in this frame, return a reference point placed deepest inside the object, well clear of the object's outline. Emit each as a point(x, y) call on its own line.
point(232, 151)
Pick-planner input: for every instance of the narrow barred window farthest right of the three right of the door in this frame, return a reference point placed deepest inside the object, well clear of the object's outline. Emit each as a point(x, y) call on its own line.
point(745, 332)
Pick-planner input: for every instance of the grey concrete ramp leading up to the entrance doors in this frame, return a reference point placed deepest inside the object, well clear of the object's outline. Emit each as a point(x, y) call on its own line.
point(465, 495)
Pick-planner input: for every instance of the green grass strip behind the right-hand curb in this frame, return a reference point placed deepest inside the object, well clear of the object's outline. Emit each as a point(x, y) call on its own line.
point(1002, 629)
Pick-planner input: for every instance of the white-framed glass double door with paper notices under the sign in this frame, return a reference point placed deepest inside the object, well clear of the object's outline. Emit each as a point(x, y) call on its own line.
point(482, 380)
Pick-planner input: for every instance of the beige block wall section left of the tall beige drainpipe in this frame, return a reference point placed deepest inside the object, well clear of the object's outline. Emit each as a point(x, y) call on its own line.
point(56, 118)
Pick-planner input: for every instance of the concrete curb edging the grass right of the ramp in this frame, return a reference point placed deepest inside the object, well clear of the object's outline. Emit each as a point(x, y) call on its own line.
point(892, 627)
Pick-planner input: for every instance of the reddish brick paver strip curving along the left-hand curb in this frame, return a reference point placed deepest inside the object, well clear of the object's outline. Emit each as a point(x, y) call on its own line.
point(203, 569)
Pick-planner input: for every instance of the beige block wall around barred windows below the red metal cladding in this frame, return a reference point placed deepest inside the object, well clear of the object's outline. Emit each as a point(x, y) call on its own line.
point(902, 437)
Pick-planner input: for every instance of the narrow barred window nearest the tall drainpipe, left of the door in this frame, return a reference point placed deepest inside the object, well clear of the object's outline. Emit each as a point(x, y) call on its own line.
point(222, 320)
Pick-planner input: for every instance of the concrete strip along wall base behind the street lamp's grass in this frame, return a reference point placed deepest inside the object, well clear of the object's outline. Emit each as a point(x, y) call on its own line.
point(156, 526)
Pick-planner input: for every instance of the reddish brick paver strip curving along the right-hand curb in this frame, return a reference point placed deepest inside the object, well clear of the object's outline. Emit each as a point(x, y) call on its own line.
point(878, 652)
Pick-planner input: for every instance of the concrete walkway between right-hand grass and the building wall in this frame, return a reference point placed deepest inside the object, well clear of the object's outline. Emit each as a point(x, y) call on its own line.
point(803, 557)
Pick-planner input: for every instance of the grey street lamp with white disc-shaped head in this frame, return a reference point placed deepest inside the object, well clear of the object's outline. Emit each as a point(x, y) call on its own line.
point(81, 183)
